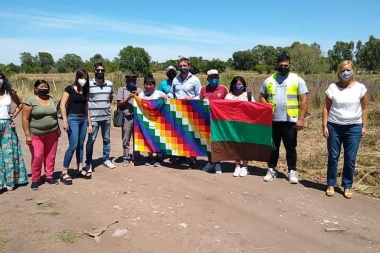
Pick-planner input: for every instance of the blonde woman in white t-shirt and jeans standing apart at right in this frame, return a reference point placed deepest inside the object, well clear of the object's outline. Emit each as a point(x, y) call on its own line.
point(344, 121)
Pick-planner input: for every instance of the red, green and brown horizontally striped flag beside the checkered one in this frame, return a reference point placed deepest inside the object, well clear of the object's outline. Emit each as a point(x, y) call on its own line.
point(240, 130)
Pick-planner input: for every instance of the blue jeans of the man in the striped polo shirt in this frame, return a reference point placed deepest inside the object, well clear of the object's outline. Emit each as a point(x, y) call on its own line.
point(105, 125)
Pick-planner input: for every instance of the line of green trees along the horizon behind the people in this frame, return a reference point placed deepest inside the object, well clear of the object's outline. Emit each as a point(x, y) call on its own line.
point(306, 59)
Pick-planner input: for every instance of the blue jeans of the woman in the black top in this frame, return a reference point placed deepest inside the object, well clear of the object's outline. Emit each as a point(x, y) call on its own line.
point(76, 133)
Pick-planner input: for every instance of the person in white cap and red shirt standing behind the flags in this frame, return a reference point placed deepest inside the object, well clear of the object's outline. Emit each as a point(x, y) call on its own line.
point(213, 90)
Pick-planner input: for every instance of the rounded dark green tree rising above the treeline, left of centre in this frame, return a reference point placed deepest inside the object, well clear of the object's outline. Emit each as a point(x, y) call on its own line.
point(134, 59)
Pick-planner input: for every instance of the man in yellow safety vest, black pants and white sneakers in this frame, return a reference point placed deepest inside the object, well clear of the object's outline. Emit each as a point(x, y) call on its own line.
point(288, 94)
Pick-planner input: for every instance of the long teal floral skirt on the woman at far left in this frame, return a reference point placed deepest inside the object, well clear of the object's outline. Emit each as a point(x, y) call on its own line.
point(12, 165)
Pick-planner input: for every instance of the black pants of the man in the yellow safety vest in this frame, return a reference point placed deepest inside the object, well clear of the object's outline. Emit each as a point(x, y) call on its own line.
point(286, 132)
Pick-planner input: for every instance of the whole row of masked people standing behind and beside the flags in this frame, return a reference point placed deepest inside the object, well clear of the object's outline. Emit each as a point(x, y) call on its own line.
point(86, 107)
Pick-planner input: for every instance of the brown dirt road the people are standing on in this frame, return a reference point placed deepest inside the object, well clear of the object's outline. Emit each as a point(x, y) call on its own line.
point(176, 209)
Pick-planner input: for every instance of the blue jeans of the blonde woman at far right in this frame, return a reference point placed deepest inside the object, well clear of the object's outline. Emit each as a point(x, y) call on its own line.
point(349, 136)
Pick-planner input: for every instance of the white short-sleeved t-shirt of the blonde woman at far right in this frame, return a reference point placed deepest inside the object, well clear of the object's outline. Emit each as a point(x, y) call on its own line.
point(346, 107)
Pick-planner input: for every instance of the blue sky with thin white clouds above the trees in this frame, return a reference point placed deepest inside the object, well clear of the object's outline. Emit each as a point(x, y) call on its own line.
point(167, 29)
